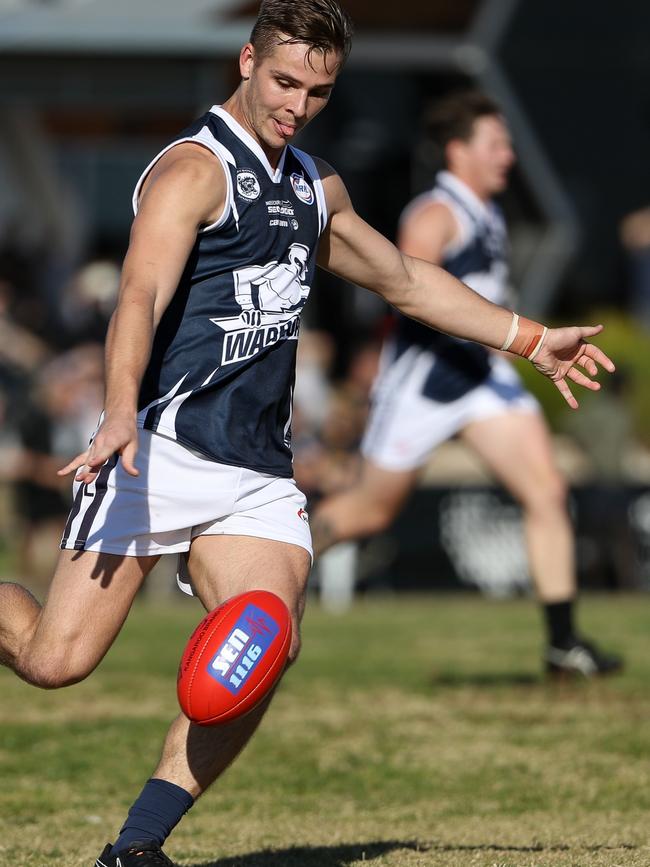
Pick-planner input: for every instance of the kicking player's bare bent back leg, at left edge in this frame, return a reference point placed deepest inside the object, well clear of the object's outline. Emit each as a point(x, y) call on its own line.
point(61, 642)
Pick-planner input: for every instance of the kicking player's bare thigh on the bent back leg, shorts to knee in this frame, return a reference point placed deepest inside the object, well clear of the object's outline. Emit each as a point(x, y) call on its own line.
point(89, 598)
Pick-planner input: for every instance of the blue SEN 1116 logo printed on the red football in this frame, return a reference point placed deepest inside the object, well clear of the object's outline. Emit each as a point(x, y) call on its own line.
point(246, 645)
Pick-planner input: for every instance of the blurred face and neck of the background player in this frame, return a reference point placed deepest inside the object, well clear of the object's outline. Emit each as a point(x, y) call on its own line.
point(488, 156)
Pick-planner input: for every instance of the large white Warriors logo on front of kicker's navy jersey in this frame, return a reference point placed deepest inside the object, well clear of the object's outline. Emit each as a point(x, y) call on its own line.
point(271, 297)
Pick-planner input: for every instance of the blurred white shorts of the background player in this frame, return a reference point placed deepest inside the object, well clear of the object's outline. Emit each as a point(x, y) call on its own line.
point(405, 426)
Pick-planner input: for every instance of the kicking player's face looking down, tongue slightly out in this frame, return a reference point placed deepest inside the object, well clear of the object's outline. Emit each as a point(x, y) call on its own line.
point(285, 90)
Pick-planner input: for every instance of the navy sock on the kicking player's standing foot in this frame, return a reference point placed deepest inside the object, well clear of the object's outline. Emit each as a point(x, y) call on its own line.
point(158, 809)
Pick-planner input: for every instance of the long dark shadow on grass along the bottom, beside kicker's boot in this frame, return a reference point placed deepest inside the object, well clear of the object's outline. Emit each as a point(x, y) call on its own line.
point(340, 856)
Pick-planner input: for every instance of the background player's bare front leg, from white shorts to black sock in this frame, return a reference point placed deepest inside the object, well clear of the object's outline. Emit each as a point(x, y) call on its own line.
point(516, 447)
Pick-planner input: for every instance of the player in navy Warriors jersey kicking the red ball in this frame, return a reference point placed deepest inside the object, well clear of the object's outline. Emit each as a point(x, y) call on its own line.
point(193, 450)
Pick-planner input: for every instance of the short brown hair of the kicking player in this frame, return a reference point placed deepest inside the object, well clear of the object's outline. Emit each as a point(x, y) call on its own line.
point(323, 25)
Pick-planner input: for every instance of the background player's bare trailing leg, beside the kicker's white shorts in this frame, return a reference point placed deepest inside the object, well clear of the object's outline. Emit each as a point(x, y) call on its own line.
point(367, 508)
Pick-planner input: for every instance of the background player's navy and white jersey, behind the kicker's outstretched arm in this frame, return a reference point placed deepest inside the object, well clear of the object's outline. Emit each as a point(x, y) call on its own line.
point(478, 257)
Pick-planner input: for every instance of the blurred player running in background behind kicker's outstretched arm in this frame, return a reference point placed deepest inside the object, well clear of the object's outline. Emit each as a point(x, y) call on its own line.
point(432, 386)
